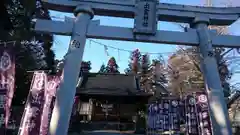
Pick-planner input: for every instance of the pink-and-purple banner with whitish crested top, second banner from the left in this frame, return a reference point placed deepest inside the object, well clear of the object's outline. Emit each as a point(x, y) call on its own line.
point(31, 119)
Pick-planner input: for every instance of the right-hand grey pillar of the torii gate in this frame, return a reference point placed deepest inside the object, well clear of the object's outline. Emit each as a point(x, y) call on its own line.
point(217, 105)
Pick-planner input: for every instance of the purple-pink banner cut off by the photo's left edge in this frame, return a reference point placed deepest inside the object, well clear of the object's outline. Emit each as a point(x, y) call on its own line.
point(7, 81)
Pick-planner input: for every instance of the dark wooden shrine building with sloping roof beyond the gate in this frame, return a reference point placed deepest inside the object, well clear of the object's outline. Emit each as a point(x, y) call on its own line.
point(111, 102)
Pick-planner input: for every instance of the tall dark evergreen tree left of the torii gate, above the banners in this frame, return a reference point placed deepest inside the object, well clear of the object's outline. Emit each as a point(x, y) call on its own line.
point(33, 51)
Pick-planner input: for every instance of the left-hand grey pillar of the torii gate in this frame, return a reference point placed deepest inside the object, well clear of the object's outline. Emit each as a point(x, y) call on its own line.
point(65, 96)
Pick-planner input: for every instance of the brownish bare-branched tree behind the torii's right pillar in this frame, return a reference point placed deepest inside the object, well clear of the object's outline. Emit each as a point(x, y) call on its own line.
point(184, 66)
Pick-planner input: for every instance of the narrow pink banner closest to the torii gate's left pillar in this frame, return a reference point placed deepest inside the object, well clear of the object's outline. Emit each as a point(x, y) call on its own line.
point(50, 91)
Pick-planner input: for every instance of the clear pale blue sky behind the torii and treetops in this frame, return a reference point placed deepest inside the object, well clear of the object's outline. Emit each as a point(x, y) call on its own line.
point(96, 54)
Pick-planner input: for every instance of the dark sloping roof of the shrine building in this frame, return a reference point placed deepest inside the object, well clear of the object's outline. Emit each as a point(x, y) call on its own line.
point(110, 84)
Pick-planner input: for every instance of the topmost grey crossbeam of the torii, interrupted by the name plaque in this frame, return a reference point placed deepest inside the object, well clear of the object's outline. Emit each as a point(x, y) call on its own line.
point(165, 12)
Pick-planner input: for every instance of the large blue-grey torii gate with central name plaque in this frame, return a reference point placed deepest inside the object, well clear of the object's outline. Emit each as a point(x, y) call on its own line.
point(146, 14)
